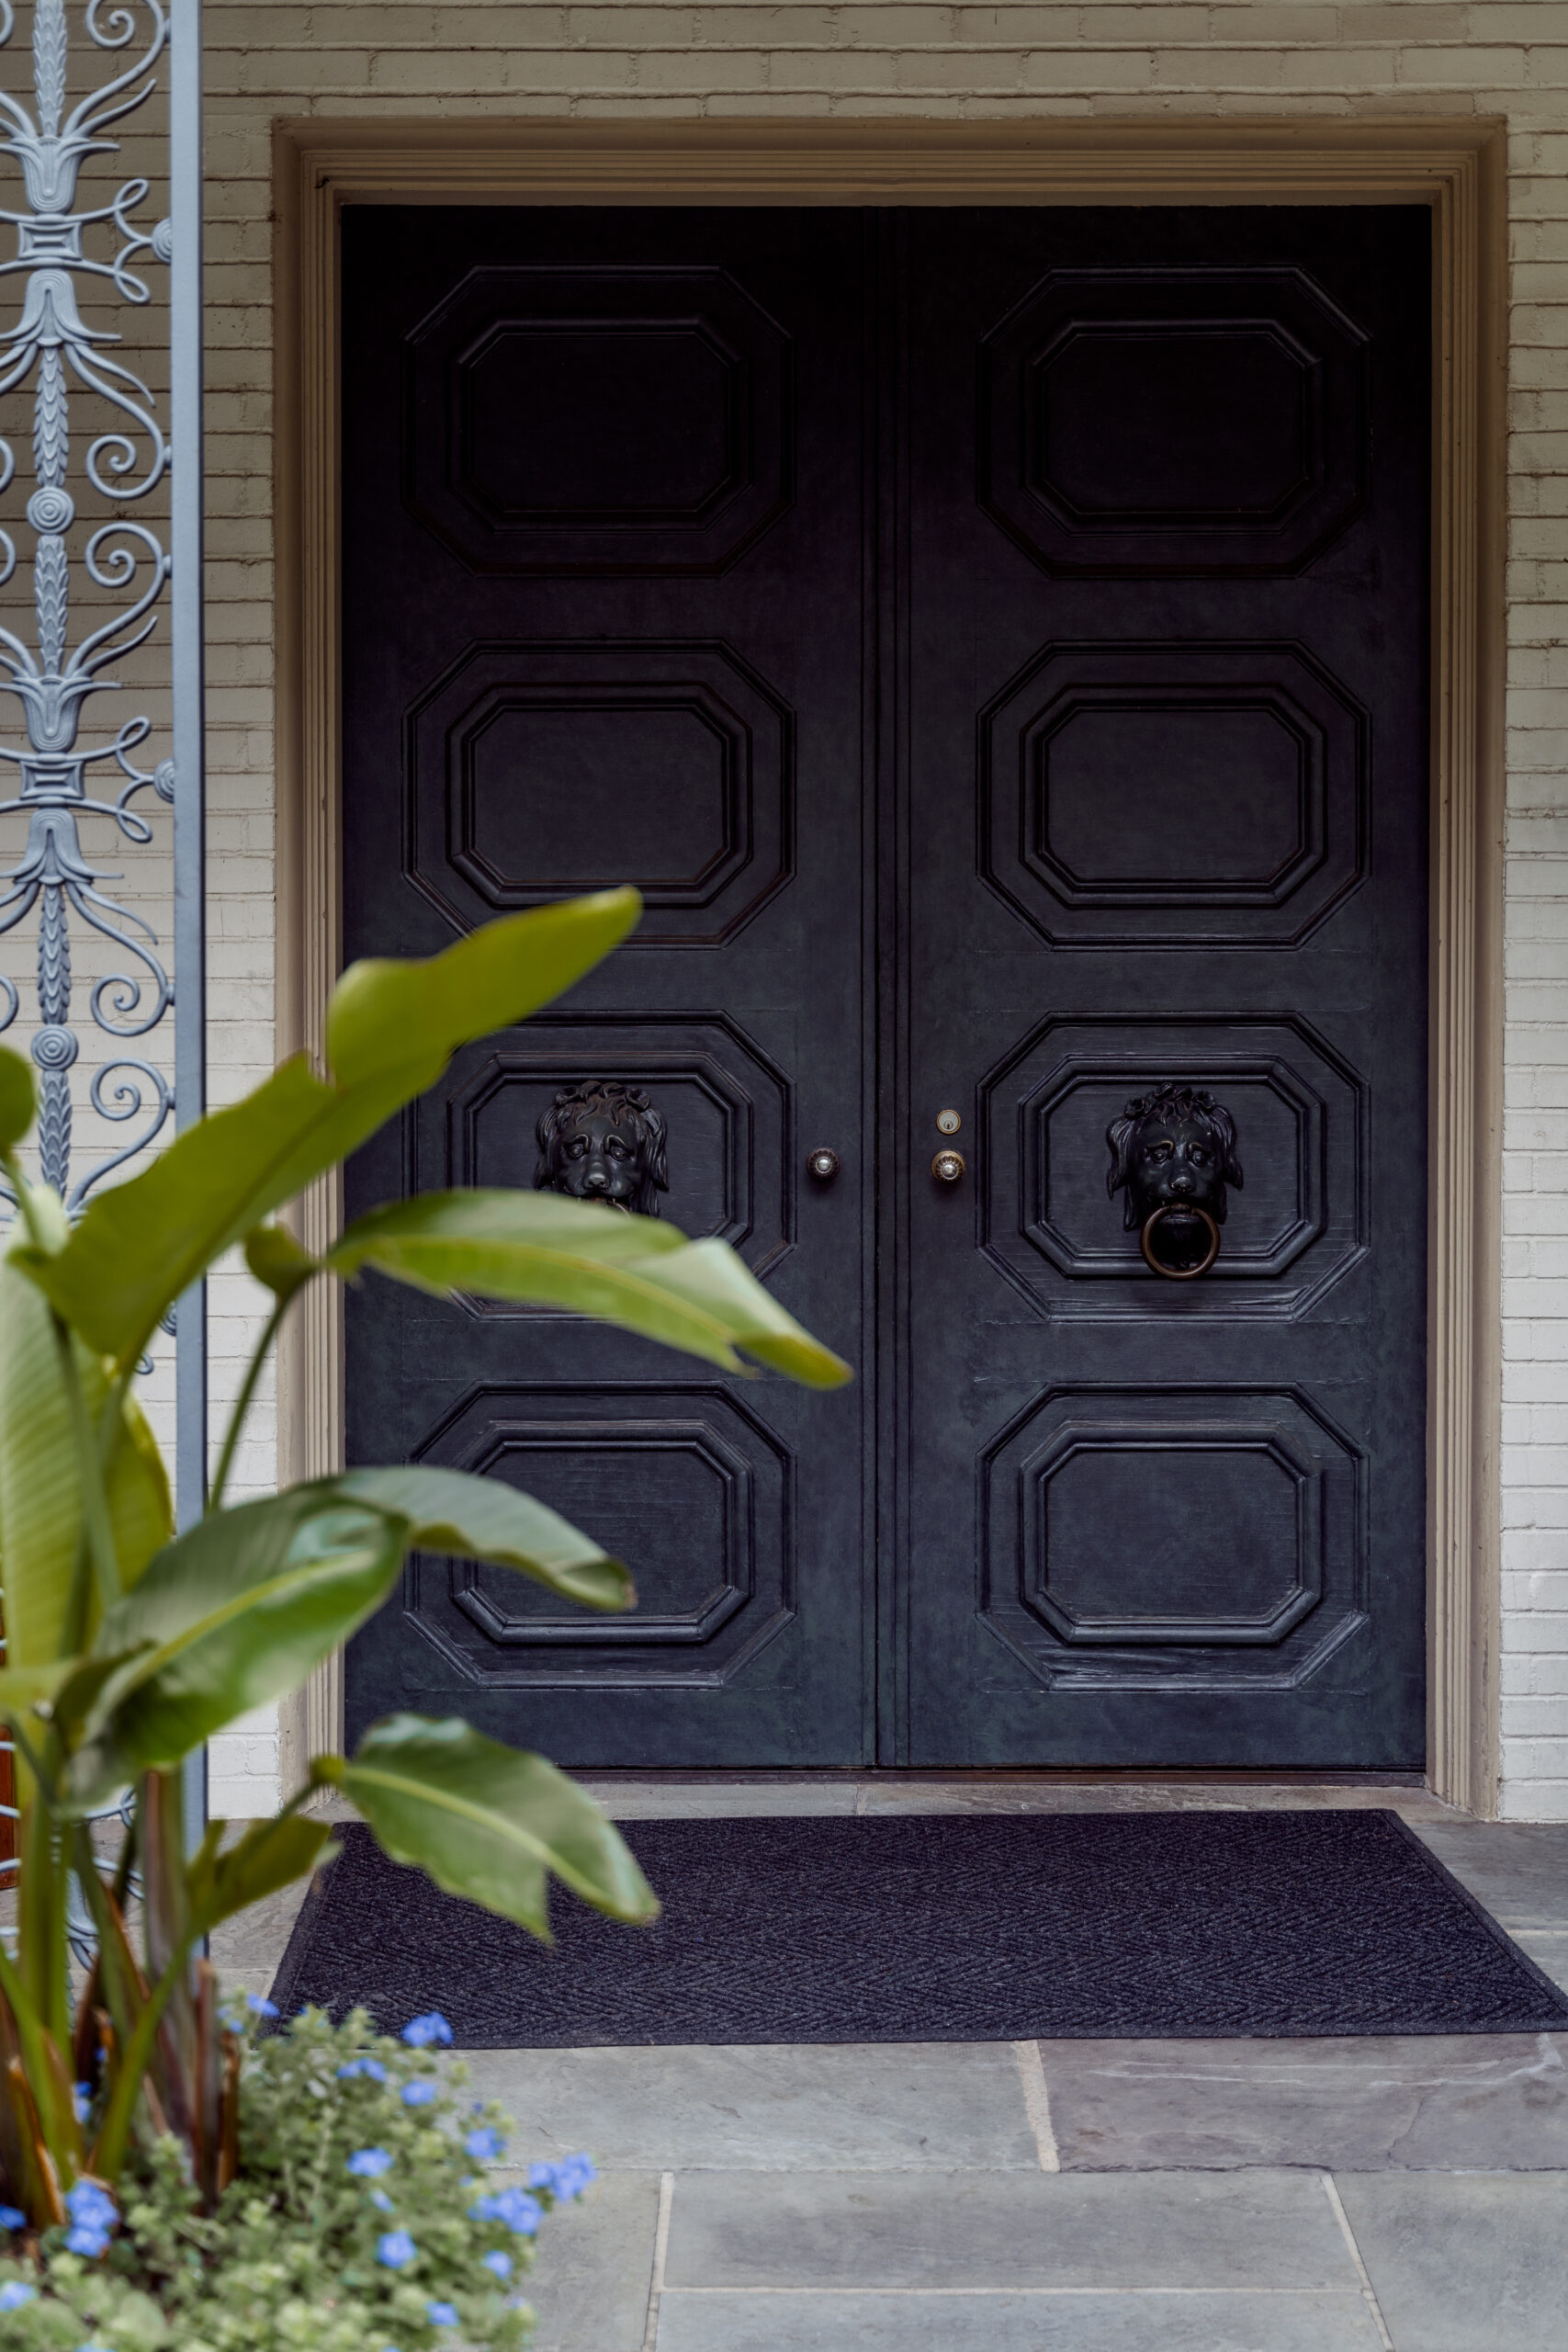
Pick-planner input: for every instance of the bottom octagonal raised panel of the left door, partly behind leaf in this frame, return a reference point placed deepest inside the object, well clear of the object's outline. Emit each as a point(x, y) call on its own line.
point(685, 1485)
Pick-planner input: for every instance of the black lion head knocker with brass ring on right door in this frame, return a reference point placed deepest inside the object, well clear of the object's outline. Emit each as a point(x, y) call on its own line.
point(1172, 1154)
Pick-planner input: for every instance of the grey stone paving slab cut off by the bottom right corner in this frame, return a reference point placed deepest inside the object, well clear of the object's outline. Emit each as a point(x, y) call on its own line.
point(1466, 2261)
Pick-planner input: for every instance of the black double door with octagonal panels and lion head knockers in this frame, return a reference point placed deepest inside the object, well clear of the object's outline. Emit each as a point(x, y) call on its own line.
point(996, 646)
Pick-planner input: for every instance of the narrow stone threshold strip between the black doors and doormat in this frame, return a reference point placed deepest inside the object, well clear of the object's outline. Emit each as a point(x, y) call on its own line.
point(683, 1793)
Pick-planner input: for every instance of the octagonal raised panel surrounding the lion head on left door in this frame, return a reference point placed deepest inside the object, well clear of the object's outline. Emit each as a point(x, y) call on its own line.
point(728, 1109)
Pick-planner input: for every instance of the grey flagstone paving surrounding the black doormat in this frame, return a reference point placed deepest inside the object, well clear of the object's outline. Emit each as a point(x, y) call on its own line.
point(1362, 2196)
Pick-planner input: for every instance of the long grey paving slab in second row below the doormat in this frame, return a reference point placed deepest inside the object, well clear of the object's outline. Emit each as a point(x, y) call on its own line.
point(963, 2231)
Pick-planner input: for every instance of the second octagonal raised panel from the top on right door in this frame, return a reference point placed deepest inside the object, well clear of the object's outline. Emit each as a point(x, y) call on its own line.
point(1174, 794)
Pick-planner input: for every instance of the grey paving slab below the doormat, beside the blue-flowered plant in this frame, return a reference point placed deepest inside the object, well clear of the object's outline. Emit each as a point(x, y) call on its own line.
point(885, 2106)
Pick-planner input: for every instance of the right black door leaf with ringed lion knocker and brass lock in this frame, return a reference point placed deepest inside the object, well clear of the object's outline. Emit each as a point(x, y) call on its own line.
point(1165, 801)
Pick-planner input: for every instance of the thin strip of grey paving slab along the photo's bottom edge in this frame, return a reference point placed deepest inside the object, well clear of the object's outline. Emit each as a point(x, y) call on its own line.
point(1153, 2323)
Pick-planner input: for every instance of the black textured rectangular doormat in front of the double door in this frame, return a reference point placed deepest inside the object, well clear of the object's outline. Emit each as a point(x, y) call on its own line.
point(944, 1930)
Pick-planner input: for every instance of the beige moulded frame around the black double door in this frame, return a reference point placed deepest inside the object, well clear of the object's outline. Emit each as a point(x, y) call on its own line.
point(1452, 166)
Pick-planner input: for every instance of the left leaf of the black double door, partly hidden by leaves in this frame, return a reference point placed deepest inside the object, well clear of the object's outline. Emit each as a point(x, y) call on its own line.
point(603, 622)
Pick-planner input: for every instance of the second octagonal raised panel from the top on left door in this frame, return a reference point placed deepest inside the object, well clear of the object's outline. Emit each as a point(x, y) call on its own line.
point(542, 770)
